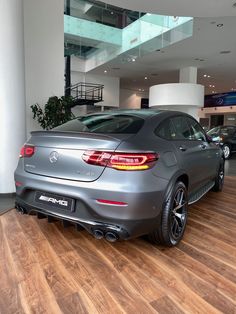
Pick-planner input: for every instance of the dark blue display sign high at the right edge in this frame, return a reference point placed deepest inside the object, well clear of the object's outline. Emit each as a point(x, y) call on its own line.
point(220, 100)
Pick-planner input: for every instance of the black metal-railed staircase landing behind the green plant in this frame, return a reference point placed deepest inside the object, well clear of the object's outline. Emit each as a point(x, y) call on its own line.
point(86, 93)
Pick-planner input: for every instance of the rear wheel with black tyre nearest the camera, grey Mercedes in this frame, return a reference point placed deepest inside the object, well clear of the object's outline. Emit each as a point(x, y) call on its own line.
point(174, 217)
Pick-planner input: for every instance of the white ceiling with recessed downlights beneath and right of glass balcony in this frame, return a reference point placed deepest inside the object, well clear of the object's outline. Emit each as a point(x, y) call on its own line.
point(163, 67)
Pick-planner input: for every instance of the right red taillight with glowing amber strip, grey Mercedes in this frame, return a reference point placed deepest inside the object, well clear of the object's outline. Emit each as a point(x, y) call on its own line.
point(121, 161)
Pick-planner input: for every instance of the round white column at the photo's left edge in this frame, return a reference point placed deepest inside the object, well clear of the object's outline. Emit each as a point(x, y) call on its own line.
point(12, 90)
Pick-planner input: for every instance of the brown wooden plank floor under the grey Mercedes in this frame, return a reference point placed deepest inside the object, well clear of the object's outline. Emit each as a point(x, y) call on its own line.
point(47, 269)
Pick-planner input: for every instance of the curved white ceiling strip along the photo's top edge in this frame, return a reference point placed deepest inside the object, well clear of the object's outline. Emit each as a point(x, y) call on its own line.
point(196, 8)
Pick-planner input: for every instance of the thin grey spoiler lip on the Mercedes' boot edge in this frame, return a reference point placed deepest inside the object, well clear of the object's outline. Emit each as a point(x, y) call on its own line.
point(74, 134)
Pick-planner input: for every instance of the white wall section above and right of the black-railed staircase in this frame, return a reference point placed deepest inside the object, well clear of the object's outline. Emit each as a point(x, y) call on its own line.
point(111, 92)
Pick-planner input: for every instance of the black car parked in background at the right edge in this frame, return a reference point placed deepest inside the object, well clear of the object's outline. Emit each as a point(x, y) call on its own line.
point(226, 137)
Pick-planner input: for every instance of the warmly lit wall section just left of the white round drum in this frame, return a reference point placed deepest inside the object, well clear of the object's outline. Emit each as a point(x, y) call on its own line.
point(130, 99)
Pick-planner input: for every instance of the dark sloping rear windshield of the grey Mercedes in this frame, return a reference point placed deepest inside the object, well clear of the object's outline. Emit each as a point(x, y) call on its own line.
point(103, 123)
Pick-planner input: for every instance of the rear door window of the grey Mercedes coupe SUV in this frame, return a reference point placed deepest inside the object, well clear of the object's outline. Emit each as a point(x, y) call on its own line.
point(182, 129)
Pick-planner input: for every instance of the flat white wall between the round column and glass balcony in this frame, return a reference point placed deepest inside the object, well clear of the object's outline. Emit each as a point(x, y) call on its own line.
point(44, 53)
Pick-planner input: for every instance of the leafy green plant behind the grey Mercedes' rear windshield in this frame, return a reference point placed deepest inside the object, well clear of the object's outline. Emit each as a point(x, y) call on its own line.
point(56, 111)
